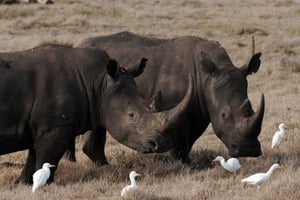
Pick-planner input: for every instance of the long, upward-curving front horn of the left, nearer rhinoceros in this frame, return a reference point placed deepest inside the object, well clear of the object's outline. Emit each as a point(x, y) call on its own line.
point(170, 118)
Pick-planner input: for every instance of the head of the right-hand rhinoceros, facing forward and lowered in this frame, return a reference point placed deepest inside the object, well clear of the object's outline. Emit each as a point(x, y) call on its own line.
point(229, 108)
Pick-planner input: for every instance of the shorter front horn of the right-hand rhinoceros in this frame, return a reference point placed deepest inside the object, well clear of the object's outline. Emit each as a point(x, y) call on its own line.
point(255, 126)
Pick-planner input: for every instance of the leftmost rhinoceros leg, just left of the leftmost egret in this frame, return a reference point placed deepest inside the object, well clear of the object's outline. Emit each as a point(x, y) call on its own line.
point(29, 168)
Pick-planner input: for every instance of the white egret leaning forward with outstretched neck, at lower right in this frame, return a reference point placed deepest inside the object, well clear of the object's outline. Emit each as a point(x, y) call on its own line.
point(259, 178)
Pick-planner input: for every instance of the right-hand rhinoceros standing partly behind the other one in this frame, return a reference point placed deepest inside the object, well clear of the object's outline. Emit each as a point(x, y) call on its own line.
point(220, 96)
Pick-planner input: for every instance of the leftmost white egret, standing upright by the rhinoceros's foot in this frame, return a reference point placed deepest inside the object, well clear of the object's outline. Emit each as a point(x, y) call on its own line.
point(41, 176)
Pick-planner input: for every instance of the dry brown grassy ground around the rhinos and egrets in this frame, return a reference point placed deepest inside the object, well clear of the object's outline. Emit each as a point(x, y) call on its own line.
point(276, 27)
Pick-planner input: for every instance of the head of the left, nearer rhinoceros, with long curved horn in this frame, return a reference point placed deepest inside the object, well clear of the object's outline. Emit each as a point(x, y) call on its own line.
point(124, 113)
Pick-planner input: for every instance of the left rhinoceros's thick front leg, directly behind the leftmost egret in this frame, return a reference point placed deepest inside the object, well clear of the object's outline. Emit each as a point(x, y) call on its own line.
point(51, 146)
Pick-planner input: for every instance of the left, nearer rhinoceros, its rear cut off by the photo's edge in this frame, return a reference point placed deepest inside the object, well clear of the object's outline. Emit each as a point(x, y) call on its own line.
point(50, 94)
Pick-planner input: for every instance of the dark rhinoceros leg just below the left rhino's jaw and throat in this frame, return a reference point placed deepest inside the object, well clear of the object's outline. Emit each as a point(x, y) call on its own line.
point(94, 146)
